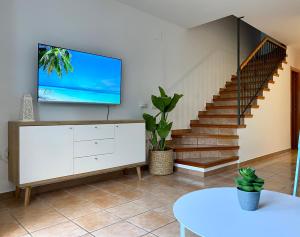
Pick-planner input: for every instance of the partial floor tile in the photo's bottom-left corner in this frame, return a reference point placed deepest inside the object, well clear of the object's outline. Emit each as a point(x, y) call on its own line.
point(9, 227)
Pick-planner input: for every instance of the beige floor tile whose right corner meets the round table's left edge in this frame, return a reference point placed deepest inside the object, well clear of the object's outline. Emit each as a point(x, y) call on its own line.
point(151, 220)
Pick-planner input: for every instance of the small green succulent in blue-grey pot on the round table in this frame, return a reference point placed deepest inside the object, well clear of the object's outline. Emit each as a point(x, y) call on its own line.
point(249, 187)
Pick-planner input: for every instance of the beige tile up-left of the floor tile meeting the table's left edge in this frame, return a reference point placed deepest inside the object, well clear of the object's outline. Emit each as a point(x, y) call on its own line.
point(127, 210)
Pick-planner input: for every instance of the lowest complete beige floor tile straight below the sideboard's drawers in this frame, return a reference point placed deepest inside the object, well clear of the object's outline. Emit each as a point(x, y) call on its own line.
point(96, 221)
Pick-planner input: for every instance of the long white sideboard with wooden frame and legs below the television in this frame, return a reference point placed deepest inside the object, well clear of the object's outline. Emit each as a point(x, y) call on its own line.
point(47, 152)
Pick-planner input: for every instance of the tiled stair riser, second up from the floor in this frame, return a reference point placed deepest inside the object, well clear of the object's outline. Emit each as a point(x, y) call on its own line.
point(205, 154)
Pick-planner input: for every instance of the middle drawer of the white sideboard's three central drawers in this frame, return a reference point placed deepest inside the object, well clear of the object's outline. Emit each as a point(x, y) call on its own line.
point(94, 147)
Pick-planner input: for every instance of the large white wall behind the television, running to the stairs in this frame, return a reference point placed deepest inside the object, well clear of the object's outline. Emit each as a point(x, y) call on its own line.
point(154, 51)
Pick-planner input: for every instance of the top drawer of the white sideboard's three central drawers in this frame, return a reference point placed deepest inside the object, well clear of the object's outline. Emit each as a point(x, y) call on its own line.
point(92, 132)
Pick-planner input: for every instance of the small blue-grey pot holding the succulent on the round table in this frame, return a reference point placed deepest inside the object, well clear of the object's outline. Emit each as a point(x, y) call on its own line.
point(248, 200)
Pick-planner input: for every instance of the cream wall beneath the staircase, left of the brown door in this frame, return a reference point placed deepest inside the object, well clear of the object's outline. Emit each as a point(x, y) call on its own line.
point(269, 129)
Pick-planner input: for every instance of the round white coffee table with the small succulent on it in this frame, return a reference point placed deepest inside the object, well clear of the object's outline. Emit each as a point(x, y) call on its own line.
point(216, 212)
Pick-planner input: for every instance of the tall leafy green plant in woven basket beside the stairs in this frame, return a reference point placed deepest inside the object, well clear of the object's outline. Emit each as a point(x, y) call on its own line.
point(161, 157)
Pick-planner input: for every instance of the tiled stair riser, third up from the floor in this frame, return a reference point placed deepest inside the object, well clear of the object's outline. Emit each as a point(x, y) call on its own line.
point(205, 141)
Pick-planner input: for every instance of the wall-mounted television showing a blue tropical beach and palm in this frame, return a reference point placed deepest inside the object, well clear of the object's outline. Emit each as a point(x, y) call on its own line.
point(70, 76)
